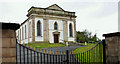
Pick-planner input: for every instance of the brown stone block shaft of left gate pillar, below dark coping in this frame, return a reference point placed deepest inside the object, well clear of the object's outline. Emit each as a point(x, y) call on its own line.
point(8, 46)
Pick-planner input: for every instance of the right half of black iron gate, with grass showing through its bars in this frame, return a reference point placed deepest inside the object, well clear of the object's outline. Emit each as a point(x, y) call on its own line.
point(92, 56)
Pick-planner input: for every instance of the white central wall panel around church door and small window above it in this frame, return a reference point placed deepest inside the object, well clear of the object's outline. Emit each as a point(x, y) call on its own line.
point(51, 30)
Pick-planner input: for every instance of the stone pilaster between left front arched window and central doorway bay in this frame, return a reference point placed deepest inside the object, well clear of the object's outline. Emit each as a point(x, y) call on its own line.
point(46, 30)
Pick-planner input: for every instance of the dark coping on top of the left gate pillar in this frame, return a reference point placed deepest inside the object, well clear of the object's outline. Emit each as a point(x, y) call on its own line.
point(13, 26)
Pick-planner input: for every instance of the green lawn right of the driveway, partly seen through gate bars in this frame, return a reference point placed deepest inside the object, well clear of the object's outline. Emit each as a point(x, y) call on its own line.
point(94, 55)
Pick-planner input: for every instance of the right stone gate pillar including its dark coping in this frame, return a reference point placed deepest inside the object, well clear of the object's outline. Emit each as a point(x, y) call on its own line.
point(112, 48)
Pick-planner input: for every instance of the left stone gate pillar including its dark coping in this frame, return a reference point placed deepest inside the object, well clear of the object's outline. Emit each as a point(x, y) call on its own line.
point(8, 43)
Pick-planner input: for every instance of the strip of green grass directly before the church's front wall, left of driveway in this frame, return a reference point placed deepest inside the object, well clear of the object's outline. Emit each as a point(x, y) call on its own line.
point(45, 45)
